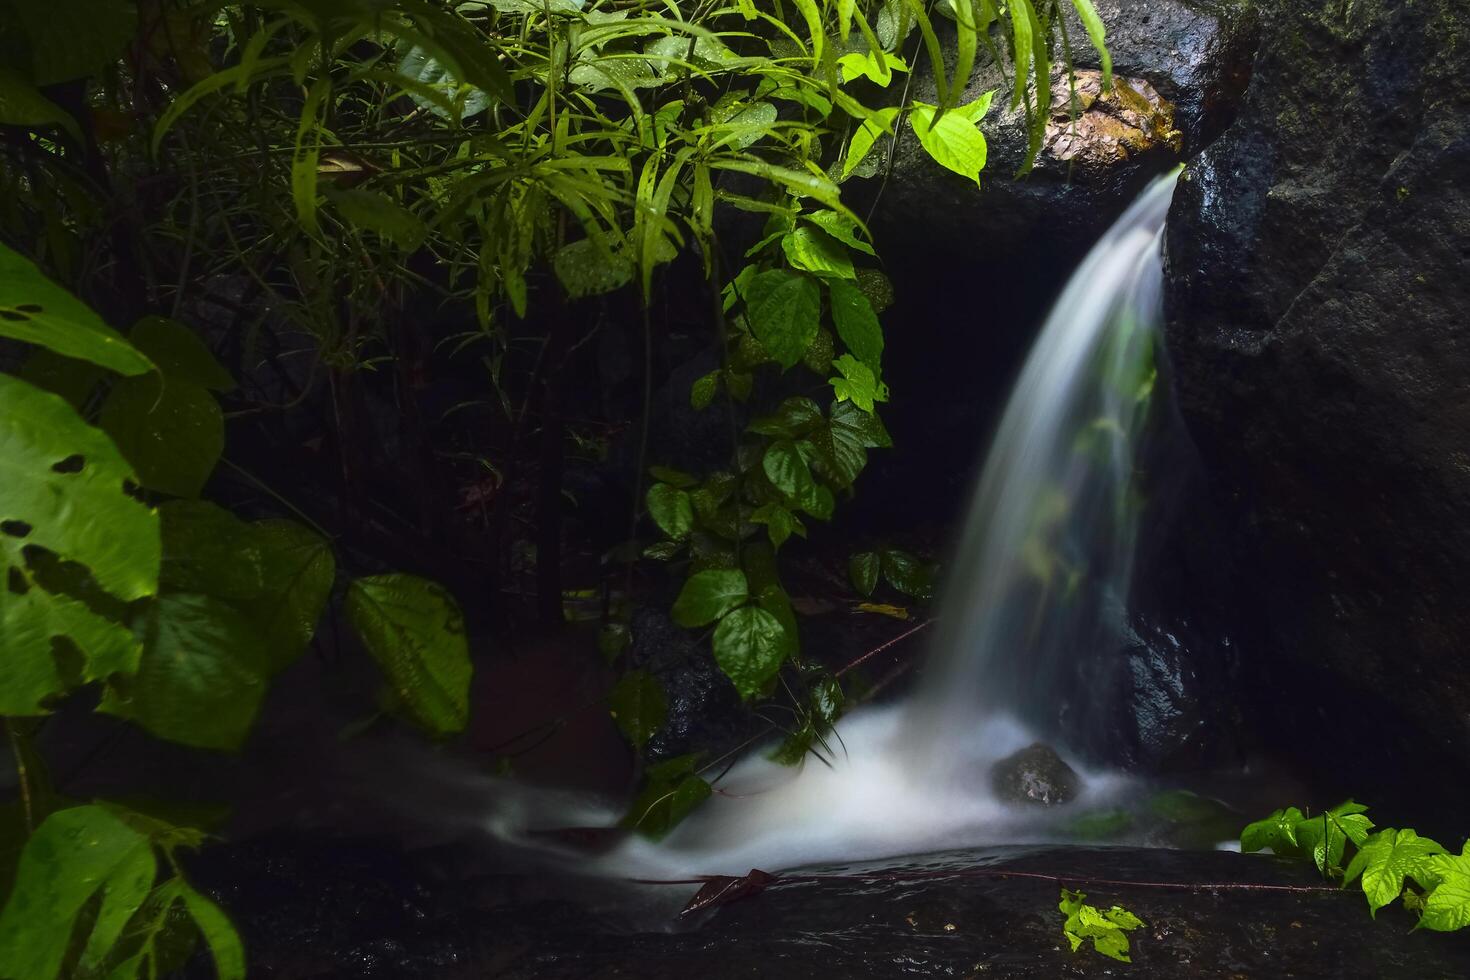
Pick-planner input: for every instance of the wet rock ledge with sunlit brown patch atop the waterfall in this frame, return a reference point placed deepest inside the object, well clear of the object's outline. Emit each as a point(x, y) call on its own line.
point(1183, 68)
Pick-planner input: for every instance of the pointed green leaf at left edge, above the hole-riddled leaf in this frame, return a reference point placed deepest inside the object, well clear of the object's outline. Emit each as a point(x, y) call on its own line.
point(36, 311)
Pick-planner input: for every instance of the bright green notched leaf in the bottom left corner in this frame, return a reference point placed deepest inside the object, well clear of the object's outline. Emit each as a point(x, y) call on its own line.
point(73, 856)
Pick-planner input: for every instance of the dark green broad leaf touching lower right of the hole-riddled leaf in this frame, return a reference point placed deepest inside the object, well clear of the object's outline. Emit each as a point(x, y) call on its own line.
point(202, 677)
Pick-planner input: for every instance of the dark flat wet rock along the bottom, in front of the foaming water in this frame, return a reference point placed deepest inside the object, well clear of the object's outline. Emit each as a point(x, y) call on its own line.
point(333, 910)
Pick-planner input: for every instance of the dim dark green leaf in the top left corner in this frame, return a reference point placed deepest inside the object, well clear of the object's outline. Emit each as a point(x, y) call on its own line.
point(73, 39)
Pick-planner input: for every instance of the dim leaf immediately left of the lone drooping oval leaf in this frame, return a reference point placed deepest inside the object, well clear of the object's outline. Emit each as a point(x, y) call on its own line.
point(299, 572)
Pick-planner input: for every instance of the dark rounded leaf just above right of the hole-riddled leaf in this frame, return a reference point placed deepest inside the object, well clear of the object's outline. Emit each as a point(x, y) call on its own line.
point(173, 433)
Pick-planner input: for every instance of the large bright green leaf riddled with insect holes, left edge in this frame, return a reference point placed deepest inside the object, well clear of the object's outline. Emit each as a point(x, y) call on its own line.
point(62, 489)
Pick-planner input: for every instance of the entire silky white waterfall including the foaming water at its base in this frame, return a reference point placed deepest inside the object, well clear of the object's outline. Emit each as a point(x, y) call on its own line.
point(1043, 568)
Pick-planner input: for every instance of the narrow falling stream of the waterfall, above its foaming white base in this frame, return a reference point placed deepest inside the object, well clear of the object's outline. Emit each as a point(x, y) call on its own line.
point(1046, 561)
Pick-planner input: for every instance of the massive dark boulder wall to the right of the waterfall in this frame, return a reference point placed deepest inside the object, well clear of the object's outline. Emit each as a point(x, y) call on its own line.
point(1321, 337)
